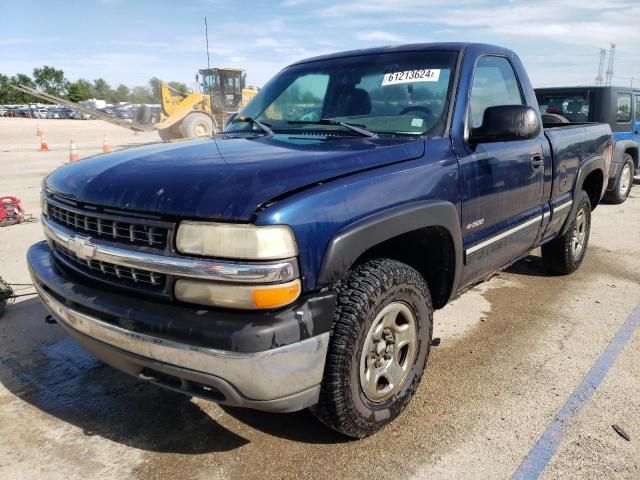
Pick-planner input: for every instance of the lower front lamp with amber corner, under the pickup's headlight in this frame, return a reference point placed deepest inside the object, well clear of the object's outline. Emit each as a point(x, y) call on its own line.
point(237, 296)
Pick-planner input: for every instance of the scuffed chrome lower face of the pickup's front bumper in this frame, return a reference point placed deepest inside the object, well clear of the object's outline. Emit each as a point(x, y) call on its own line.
point(282, 379)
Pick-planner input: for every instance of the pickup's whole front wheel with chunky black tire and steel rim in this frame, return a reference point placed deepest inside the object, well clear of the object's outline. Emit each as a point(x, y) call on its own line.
point(380, 342)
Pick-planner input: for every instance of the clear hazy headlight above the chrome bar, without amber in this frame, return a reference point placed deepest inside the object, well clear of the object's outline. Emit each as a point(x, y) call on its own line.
point(224, 240)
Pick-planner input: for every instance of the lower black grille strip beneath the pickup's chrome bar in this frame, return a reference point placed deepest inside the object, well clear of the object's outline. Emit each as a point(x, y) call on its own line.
point(115, 273)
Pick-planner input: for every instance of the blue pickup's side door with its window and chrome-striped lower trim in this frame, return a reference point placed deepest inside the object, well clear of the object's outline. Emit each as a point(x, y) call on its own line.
point(502, 182)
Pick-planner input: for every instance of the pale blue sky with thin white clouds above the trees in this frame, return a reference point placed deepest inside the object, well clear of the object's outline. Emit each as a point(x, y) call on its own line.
point(130, 41)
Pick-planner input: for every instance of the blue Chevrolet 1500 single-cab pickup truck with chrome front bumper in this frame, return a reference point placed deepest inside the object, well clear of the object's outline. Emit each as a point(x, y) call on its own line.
point(295, 260)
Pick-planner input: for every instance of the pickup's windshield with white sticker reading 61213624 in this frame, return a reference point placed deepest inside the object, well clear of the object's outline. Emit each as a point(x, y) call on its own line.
point(393, 93)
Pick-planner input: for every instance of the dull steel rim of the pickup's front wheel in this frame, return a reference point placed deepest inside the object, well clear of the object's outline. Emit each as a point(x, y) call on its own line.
point(388, 352)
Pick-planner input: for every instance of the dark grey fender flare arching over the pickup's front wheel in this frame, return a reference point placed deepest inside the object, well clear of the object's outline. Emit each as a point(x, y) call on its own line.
point(351, 242)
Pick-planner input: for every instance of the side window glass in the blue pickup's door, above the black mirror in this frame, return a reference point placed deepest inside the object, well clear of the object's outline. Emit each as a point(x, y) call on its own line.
point(494, 83)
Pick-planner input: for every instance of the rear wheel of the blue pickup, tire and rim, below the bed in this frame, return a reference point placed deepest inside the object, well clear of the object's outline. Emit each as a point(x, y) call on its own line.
point(564, 254)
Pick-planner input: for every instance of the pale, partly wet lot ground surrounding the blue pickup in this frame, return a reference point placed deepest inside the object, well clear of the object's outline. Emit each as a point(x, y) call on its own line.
point(513, 351)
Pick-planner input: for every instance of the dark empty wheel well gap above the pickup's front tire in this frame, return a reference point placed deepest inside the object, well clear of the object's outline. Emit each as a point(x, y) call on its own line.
point(430, 251)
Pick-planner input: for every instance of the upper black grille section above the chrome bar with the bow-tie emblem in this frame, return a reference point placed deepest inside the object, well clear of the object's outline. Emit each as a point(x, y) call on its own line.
point(108, 228)
